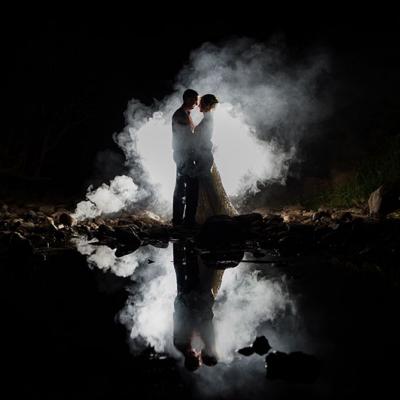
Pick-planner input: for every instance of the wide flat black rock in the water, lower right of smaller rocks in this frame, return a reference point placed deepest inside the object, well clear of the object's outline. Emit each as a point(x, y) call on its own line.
point(295, 367)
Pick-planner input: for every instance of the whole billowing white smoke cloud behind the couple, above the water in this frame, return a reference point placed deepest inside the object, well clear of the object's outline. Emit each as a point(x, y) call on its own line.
point(266, 106)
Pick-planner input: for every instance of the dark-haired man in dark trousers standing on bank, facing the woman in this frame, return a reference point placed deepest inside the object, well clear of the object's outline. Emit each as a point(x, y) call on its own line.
point(187, 184)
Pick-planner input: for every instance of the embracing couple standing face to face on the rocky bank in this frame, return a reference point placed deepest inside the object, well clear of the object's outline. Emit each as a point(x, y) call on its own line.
point(199, 192)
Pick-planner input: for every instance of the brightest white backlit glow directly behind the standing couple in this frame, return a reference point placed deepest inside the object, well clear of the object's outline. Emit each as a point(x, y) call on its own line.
point(241, 158)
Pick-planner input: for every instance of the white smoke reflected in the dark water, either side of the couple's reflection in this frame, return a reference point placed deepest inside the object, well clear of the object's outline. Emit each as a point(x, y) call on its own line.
point(244, 302)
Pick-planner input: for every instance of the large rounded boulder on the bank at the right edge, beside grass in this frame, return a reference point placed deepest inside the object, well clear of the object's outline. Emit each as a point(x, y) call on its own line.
point(384, 200)
